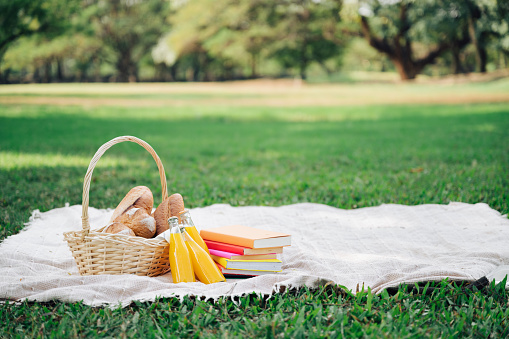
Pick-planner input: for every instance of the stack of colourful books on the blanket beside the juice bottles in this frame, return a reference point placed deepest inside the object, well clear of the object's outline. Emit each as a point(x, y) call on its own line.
point(242, 251)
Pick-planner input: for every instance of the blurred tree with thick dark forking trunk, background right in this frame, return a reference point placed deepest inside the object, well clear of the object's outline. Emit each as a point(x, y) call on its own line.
point(401, 25)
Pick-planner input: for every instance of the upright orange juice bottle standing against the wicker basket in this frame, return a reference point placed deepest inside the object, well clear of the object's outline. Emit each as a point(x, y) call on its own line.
point(180, 260)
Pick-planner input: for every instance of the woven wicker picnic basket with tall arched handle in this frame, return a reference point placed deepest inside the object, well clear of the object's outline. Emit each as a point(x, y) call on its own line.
point(104, 253)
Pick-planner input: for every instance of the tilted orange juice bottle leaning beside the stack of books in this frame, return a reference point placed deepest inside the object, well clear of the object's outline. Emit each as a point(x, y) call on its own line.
point(204, 266)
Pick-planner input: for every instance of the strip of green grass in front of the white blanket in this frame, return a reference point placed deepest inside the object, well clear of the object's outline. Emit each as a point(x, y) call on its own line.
point(449, 311)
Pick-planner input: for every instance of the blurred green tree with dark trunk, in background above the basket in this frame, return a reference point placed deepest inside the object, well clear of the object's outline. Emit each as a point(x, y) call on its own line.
point(129, 28)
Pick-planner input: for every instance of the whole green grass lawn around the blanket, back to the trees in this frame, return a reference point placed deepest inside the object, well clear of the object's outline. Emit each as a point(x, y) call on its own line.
point(240, 146)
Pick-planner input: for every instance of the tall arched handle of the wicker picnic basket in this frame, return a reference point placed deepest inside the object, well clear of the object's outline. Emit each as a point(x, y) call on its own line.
point(88, 177)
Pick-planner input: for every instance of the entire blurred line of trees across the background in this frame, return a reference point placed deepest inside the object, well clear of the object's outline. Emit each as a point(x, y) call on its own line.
point(210, 40)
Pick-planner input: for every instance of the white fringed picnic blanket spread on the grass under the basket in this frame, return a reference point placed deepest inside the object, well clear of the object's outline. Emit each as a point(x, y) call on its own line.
point(379, 247)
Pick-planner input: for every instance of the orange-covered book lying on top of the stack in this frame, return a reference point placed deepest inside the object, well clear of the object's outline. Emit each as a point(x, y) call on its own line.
point(246, 236)
